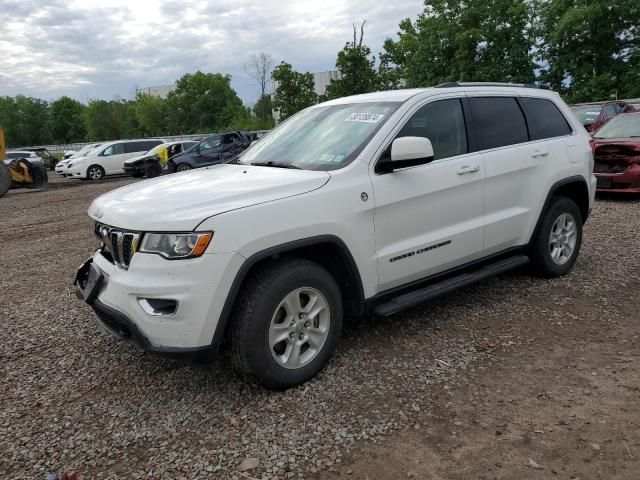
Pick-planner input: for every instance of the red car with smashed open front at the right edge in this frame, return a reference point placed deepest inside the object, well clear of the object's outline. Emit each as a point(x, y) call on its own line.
point(617, 155)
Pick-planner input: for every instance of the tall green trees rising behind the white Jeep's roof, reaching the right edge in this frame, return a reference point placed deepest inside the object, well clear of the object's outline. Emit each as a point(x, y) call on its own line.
point(586, 50)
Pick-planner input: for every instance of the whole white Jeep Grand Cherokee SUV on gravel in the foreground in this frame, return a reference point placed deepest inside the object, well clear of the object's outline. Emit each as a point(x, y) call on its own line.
point(372, 203)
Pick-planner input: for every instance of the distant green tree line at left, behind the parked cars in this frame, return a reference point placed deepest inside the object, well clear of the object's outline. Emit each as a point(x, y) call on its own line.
point(200, 103)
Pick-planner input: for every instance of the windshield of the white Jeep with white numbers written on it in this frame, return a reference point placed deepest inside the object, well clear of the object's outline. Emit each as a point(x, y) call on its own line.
point(321, 138)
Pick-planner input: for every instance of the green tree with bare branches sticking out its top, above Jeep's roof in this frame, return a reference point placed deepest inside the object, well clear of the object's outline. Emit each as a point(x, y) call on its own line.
point(357, 69)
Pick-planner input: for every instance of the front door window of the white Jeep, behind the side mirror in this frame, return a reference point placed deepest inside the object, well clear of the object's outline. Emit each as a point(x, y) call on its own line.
point(442, 122)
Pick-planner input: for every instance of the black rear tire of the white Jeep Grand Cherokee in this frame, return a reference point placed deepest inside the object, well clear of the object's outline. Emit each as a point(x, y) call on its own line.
point(542, 261)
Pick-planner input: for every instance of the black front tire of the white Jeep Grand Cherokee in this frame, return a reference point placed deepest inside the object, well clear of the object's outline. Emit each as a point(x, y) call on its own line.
point(257, 307)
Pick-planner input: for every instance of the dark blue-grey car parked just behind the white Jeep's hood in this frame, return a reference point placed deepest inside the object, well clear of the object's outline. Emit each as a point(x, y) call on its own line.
point(219, 148)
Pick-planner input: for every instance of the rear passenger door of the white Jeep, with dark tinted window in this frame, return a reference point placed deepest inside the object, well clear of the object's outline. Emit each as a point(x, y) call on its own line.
point(519, 171)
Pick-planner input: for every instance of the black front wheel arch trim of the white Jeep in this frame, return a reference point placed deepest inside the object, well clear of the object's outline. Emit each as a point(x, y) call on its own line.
point(328, 251)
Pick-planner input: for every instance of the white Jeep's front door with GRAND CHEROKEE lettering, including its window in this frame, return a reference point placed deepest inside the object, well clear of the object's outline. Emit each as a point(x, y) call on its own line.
point(429, 218)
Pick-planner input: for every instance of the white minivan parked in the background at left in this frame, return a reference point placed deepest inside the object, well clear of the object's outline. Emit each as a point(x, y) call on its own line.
point(108, 159)
